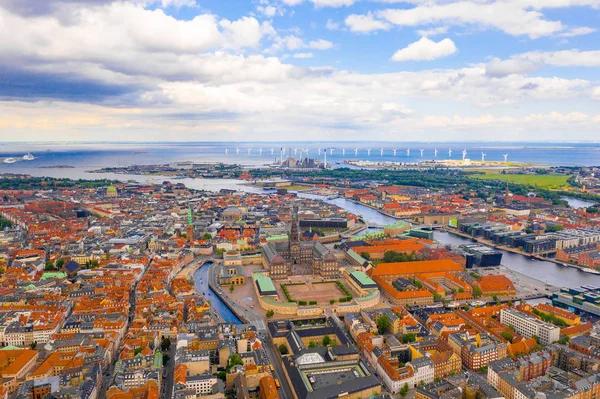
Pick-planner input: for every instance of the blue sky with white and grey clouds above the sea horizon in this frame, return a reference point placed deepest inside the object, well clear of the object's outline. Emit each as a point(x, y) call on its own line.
point(300, 70)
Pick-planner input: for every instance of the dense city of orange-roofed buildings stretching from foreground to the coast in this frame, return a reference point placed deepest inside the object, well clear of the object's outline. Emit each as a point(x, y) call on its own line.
point(120, 290)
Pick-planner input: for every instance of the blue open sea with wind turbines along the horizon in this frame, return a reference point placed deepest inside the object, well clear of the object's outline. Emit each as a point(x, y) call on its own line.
point(83, 157)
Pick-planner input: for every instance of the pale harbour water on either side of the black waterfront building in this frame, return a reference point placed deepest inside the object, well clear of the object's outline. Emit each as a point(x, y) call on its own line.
point(548, 272)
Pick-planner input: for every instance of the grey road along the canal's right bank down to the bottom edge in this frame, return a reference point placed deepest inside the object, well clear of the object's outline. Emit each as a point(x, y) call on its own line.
point(255, 319)
